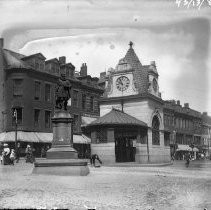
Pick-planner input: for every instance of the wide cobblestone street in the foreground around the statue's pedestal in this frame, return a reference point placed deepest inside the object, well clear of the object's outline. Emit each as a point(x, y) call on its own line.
point(169, 187)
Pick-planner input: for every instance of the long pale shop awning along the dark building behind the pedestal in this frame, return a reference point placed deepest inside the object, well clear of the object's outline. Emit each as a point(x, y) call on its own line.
point(38, 137)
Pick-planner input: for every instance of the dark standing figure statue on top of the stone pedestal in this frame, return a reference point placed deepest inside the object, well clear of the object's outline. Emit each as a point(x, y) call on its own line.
point(62, 92)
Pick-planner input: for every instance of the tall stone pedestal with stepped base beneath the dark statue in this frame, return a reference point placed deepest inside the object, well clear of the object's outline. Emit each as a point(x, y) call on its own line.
point(62, 158)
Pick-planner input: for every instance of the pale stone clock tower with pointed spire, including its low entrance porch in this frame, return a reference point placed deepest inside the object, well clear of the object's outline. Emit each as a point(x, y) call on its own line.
point(131, 94)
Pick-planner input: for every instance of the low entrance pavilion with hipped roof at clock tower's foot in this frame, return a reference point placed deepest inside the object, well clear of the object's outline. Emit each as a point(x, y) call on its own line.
point(115, 135)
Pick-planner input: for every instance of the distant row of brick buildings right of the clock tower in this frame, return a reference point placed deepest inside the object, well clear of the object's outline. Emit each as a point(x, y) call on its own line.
point(185, 129)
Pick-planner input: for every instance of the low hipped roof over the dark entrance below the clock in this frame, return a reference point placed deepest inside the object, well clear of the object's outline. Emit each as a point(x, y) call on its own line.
point(117, 117)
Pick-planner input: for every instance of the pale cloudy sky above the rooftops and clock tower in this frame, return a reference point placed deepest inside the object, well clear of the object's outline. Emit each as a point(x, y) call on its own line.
point(97, 32)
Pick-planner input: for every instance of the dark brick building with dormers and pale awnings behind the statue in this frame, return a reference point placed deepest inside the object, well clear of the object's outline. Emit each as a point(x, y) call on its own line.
point(28, 86)
